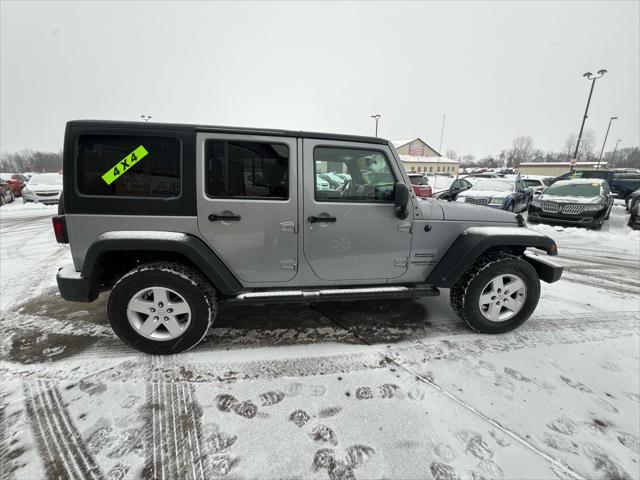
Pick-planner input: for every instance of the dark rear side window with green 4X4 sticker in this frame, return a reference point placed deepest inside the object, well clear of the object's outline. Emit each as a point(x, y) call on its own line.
point(128, 166)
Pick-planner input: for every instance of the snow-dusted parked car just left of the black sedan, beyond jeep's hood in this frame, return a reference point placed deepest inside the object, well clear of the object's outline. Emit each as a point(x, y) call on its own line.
point(507, 194)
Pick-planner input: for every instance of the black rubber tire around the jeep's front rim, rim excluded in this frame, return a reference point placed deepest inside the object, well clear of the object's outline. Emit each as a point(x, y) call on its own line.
point(465, 295)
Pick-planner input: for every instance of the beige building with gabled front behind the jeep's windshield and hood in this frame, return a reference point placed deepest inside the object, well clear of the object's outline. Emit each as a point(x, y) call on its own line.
point(418, 156)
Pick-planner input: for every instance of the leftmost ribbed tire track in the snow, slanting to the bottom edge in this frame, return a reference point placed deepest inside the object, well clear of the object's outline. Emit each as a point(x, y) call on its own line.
point(61, 447)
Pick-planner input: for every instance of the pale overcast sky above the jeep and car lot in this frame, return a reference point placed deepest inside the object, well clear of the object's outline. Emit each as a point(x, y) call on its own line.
point(496, 69)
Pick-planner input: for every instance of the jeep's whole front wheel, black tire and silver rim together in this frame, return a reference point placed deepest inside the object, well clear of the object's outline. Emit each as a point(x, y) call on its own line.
point(498, 294)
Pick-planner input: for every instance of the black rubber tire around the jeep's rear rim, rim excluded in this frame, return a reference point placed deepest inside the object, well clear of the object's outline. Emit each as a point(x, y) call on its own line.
point(191, 285)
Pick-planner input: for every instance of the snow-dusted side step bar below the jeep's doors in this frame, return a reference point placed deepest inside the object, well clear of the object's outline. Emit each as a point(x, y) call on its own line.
point(333, 295)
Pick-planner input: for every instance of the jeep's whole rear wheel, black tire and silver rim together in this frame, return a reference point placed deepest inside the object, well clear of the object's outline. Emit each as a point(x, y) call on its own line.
point(162, 308)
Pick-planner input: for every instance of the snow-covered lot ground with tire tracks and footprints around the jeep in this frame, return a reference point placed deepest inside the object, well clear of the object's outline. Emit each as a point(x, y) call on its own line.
point(389, 389)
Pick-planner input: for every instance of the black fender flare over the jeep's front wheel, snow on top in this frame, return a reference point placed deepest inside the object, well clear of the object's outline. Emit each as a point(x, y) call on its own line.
point(475, 241)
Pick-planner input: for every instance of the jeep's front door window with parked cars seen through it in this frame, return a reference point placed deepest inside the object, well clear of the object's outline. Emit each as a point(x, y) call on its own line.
point(366, 173)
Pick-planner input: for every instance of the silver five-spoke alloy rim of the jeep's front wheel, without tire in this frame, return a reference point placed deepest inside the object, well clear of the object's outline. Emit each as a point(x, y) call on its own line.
point(502, 298)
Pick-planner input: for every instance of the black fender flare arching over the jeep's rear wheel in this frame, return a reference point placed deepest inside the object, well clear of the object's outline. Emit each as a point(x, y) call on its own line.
point(184, 244)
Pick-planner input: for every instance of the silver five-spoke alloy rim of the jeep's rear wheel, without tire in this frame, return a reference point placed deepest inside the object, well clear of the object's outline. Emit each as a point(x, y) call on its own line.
point(159, 313)
